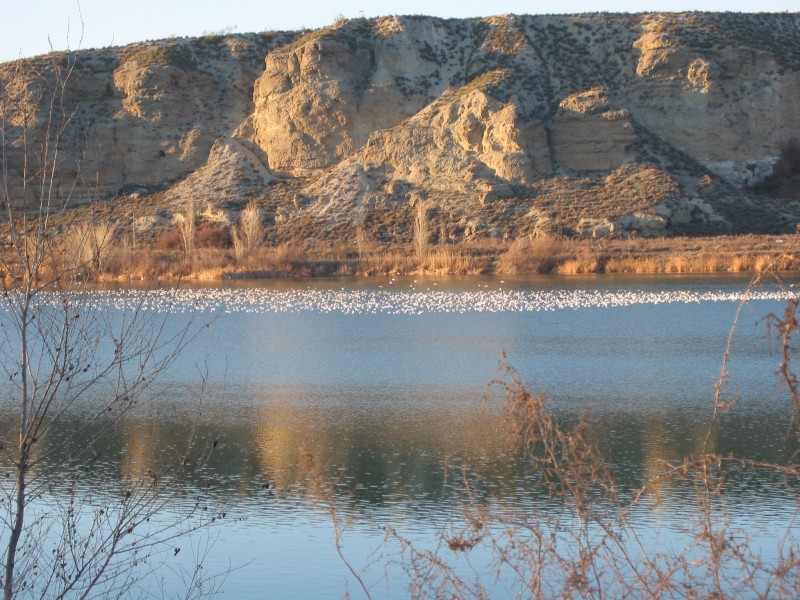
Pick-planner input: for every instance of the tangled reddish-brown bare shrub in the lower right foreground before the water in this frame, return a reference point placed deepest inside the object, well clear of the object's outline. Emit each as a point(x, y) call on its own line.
point(582, 538)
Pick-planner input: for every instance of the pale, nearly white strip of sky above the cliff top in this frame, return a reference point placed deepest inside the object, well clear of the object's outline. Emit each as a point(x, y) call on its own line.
point(34, 27)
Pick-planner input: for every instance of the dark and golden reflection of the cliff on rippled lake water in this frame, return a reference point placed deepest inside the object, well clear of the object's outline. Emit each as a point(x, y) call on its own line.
point(400, 451)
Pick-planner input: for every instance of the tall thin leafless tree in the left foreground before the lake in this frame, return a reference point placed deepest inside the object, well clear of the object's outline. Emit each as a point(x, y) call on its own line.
point(69, 359)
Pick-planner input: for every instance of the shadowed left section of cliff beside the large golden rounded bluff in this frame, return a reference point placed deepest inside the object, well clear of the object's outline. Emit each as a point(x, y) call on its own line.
point(136, 117)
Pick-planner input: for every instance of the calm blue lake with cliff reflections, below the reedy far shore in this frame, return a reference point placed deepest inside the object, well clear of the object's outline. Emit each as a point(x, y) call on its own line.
point(344, 409)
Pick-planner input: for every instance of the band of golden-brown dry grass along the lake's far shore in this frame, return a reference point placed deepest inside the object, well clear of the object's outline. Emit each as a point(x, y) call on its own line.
point(215, 259)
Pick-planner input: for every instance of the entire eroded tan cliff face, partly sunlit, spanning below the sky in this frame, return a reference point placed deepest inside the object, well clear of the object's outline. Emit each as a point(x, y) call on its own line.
point(505, 126)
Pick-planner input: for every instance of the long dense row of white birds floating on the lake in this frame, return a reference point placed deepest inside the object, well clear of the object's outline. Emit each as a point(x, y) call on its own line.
point(403, 301)
